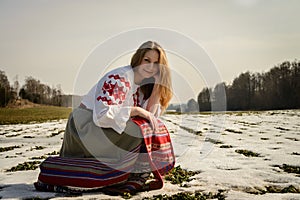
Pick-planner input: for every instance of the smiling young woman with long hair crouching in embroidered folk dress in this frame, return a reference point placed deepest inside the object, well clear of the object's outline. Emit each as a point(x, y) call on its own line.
point(116, 128)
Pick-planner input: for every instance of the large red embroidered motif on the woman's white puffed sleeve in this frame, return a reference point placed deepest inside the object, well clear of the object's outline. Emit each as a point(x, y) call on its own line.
point(113, 91)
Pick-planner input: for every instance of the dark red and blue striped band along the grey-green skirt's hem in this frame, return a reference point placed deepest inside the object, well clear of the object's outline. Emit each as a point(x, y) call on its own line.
point(85, 172)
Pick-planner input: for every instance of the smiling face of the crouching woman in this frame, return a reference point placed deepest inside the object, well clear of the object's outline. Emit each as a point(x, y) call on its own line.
point(149, 65)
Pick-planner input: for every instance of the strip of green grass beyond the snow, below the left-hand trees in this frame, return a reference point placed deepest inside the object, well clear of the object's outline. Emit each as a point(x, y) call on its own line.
point(34, 114)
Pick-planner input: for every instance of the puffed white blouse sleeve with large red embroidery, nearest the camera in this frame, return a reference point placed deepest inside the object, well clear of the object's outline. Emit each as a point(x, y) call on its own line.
point(111, 108)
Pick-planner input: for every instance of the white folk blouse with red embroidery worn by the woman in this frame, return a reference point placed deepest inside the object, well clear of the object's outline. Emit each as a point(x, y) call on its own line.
point(112, 97)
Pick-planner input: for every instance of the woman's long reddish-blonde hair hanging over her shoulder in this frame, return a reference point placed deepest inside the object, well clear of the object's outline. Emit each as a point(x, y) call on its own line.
point(165, 83)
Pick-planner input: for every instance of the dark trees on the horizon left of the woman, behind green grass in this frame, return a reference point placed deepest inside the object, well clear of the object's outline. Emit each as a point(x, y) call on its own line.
point(33, 90)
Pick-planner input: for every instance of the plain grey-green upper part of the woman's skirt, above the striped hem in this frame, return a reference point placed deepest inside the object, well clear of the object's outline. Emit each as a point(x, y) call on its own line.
point(83, 139)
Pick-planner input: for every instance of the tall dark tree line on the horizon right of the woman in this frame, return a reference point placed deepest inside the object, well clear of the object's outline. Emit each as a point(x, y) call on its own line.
point(278, 88)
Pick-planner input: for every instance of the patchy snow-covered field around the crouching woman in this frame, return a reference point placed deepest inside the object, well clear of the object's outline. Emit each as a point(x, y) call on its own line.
point(211, 144)
